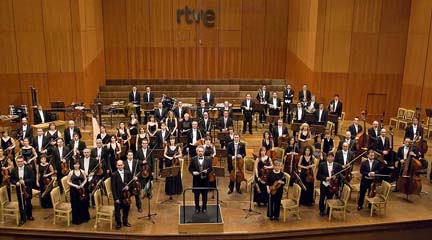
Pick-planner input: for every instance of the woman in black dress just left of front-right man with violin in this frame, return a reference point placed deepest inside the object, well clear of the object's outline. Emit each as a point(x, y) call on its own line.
point(306, 166)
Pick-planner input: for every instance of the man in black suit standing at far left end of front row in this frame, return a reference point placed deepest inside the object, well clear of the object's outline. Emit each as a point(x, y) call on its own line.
point(22, 177)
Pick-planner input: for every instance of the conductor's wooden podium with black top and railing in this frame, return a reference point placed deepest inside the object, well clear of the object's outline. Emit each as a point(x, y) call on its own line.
point(191, 222)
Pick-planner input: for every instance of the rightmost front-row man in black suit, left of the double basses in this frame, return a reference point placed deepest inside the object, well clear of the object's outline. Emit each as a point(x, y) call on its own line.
point(368, 169)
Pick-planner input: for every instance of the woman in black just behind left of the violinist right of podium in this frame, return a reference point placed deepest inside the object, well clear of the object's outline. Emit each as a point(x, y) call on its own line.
point(263, 166)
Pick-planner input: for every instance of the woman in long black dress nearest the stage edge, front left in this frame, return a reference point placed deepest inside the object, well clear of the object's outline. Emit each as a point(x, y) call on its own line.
point(79, 201)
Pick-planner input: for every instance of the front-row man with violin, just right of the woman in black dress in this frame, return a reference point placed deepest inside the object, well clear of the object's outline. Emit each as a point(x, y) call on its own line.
point(325, 173)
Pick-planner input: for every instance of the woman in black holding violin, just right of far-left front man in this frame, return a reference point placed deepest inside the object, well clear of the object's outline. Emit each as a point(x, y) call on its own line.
point(44, 173)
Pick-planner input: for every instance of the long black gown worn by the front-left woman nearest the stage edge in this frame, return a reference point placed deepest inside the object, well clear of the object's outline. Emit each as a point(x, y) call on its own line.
point(80, 212)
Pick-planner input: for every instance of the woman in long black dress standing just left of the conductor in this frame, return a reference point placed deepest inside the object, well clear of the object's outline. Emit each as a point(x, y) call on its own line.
point(172, 153)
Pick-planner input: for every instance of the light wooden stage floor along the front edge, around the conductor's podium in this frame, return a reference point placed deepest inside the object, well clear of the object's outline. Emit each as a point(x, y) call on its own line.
point(404, 219)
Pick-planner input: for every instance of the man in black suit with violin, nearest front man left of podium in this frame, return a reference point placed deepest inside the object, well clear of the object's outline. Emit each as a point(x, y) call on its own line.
point(118, 183)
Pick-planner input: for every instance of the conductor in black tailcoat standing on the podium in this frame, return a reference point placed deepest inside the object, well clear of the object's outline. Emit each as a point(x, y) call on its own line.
point(200, 167)
